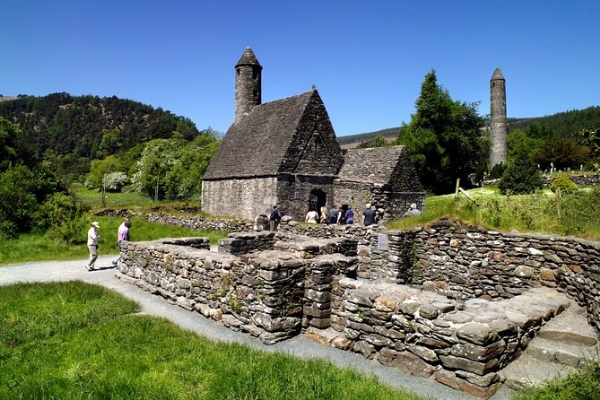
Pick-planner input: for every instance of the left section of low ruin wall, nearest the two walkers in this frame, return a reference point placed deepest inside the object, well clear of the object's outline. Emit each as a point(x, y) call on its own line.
point(270, 294)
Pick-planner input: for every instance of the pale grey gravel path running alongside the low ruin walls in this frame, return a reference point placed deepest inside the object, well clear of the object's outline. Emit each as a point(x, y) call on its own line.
point(193, 321)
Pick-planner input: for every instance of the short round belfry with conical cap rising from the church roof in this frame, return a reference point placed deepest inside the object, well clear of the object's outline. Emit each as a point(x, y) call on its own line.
point(248, 90)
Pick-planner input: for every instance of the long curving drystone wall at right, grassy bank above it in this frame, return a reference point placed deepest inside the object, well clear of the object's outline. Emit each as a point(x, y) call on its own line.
point(465, 262)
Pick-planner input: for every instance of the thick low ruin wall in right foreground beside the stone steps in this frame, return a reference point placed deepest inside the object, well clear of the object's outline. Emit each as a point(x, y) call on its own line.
point(461, 344)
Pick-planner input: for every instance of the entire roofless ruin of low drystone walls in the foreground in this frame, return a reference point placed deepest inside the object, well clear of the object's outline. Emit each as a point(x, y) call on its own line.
point(450, 331)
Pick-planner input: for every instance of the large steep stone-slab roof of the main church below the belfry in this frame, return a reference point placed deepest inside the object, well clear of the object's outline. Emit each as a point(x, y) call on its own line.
point(255, 145)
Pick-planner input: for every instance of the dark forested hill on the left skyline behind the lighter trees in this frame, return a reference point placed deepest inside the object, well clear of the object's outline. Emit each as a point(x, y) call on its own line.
point(77, 125)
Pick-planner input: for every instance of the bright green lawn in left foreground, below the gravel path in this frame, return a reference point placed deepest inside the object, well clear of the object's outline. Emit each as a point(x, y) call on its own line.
point(79, 341)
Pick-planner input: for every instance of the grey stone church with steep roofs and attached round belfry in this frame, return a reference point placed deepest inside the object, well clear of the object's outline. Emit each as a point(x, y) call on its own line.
point(285, 153)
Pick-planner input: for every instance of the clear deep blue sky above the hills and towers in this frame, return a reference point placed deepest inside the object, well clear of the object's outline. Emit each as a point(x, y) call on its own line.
point(368, 59)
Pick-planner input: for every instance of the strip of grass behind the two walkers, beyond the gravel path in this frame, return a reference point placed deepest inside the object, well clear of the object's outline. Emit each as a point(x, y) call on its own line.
point(38, 247)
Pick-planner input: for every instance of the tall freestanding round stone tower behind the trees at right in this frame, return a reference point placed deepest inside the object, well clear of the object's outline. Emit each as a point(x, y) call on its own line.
point(498, 126)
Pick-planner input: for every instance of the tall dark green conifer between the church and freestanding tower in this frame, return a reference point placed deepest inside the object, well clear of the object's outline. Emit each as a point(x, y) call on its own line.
point(444, 138)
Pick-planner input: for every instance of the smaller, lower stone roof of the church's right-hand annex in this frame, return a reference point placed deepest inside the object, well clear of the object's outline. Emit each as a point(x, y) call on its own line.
point(374, 165)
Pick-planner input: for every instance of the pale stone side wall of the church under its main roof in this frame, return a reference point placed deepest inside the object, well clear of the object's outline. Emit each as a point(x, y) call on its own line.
point(240, 198)
